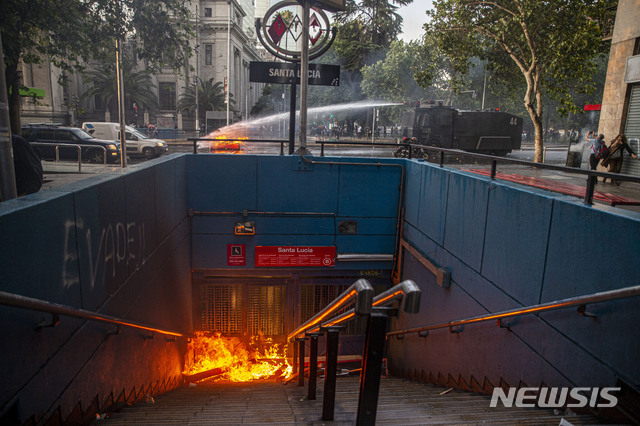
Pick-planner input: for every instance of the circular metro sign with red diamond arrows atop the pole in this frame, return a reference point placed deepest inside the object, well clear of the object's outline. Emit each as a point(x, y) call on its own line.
point(280, 32)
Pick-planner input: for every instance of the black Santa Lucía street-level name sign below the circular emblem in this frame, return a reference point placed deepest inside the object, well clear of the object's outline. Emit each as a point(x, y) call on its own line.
point(289, 73)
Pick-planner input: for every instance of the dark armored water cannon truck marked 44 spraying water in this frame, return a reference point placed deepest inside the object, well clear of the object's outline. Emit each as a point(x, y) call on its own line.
point(487, 132)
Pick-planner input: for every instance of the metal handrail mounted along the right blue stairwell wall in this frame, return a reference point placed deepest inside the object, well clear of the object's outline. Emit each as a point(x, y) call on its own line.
point(550, 306)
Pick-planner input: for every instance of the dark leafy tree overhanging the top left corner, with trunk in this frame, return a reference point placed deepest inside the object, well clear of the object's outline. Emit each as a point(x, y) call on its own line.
point(71, 32)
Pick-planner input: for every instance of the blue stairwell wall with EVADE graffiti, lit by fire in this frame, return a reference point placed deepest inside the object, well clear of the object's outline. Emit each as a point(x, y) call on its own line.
point(116, 244)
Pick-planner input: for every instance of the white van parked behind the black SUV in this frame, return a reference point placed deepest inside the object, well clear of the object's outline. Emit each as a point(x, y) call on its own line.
point(138, 144)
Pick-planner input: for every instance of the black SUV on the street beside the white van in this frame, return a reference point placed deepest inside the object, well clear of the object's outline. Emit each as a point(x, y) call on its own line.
point(46, 137)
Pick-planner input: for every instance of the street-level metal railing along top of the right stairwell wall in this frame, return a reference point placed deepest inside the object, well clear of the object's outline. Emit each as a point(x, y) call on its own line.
point(592, 175)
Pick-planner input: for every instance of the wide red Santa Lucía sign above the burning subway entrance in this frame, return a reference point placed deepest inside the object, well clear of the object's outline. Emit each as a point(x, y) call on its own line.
point(295, 256)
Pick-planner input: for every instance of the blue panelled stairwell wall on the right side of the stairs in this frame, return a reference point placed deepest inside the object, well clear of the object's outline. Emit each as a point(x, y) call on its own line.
point(509, 246)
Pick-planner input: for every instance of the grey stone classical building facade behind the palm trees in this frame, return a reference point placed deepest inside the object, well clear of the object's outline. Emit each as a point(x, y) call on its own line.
point(225, 37)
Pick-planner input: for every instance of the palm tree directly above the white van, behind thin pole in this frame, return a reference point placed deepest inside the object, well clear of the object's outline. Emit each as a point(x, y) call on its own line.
point(138, 87)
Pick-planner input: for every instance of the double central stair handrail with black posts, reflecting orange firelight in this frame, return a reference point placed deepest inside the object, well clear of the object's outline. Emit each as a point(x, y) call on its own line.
point(406, 293)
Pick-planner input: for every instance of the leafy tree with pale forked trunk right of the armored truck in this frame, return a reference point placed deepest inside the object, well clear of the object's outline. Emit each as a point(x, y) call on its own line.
point(550, 46)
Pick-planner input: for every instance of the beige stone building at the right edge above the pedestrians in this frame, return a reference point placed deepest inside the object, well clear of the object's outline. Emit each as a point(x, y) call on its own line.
point(621, 99)
